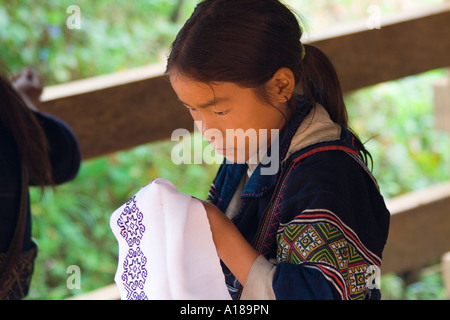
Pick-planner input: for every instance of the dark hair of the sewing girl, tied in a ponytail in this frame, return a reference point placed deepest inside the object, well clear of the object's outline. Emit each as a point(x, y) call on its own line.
point(246, 42)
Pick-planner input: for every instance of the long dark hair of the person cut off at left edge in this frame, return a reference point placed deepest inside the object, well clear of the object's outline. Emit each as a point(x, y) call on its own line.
point(25, 129)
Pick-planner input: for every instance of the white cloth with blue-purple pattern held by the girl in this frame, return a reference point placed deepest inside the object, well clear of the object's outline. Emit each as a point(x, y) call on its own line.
point(166, 250)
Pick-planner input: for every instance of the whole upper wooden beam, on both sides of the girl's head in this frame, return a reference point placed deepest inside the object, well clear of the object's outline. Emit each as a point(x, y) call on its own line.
point(119, 111)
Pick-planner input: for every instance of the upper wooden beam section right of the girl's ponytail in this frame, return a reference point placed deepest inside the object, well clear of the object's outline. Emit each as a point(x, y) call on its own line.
point(405, 45)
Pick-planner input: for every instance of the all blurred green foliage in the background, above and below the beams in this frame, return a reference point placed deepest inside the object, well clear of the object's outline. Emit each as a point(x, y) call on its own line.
point(71, 224)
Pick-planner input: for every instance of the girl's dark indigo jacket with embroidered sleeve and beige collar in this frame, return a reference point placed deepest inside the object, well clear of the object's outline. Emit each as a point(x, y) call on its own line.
point(320, 223)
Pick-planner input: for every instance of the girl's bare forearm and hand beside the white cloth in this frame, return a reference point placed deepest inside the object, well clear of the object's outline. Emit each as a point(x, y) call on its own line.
point(232, 248)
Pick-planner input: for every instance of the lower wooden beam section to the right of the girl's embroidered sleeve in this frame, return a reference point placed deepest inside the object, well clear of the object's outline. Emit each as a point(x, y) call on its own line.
point(419, 232)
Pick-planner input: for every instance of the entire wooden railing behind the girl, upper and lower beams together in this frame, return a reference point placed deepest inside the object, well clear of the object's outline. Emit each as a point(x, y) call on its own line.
point(119, 111)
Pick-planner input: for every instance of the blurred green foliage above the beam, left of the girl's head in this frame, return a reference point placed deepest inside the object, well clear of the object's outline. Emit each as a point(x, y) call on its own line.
point(114, 35)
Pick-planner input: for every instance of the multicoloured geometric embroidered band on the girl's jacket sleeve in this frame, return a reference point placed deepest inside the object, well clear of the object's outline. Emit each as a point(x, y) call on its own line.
point(324, 243)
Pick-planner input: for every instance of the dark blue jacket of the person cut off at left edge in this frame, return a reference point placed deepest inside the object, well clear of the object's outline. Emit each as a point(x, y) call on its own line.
point(65, 160)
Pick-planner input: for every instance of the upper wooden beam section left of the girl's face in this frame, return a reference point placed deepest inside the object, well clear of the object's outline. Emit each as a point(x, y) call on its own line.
point(118, 111)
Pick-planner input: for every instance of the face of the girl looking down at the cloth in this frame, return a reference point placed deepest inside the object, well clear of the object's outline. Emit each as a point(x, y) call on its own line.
point(234, 120)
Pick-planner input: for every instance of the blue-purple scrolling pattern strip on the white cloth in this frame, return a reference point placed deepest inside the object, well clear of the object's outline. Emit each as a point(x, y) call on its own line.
point(134, 265)
